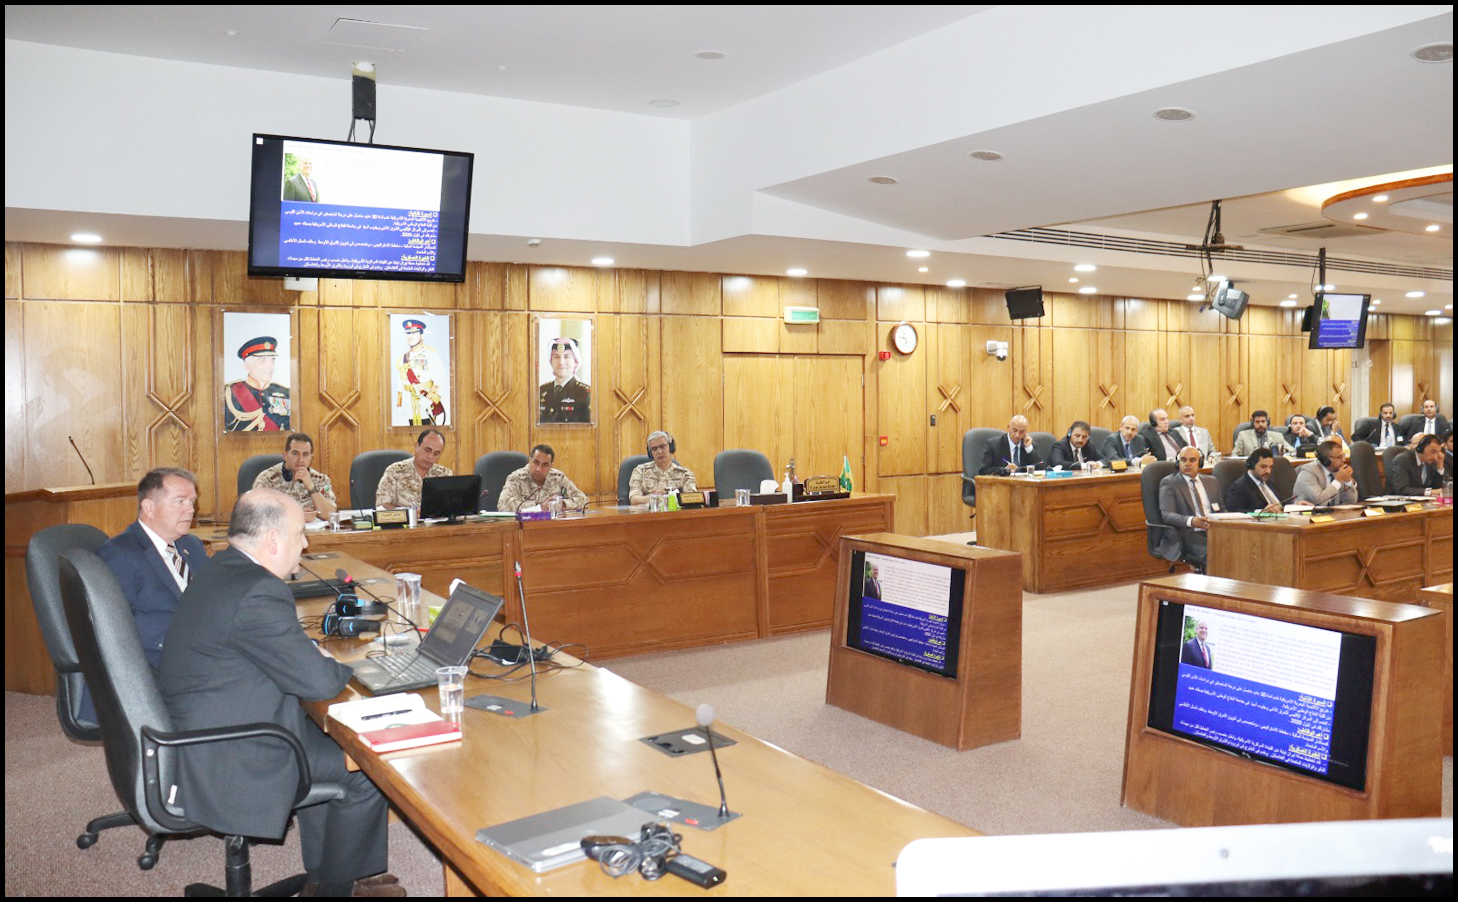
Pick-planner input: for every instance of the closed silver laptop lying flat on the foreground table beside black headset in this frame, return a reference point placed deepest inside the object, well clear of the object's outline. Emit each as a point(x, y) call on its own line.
point(555, 839)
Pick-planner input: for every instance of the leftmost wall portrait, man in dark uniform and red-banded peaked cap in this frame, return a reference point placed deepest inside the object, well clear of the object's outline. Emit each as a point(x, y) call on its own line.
point(257, 365)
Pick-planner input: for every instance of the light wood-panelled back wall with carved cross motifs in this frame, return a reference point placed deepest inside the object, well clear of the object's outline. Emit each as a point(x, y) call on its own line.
point(122, 349)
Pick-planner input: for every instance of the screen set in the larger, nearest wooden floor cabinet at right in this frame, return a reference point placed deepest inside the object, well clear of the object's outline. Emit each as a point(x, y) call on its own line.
point(1285, 694)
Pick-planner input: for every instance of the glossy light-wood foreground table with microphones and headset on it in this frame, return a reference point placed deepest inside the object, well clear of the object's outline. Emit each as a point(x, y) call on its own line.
point(806, 831)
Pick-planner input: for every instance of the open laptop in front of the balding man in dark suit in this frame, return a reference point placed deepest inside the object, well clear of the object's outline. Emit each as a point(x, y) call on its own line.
point(450, 643)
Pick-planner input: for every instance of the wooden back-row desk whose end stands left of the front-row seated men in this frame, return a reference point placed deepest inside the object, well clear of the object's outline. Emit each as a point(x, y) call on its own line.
point(1087, 530)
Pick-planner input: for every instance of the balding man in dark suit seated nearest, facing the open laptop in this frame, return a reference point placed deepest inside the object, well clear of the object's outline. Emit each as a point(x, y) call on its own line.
point(237, 655)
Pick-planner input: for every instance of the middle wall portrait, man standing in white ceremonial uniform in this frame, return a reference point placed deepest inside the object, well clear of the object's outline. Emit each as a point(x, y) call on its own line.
point(421, 371)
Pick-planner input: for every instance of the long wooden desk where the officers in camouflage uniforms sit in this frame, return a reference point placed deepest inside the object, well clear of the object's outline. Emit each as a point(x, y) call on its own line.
point(626, 582)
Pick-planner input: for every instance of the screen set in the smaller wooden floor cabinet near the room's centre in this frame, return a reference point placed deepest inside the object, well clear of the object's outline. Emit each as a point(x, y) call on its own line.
point(906, 611)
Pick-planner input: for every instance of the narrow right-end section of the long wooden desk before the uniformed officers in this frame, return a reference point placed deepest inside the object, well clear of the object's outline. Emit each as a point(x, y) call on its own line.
point(803, 547)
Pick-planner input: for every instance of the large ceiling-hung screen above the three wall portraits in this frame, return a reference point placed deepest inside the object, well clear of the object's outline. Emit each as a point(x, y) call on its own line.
point(340, 211)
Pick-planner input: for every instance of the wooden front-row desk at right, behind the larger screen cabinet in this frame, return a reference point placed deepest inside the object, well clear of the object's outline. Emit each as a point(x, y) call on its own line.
point(1387, 557)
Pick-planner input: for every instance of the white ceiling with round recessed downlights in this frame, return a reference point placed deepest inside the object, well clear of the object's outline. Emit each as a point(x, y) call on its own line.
point(1276, 113)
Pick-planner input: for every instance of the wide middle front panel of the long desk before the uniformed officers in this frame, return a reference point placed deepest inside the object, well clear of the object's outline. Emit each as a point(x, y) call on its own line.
point(644, 582)
